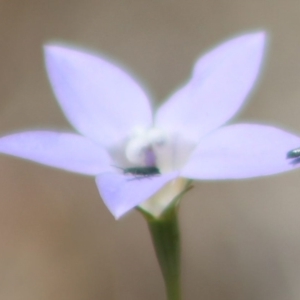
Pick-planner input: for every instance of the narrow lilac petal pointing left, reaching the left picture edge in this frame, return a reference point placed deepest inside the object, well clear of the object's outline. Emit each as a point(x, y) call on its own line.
point(66, 151)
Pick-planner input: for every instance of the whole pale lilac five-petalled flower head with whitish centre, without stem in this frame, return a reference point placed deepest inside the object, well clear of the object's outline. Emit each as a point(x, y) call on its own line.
point(185, 139)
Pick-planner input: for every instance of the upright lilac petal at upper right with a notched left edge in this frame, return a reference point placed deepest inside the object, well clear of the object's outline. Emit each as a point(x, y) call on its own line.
point(220, 83)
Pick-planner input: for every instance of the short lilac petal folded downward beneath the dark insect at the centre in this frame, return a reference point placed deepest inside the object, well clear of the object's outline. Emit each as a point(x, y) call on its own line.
point(121, 192)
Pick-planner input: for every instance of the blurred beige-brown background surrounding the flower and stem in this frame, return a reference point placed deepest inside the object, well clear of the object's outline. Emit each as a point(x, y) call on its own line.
point(241, 240)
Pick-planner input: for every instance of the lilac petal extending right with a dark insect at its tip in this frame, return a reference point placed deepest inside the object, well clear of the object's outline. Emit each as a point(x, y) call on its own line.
point(241, 151)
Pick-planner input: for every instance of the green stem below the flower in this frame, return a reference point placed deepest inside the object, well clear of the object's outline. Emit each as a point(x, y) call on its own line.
point(166, 240)
